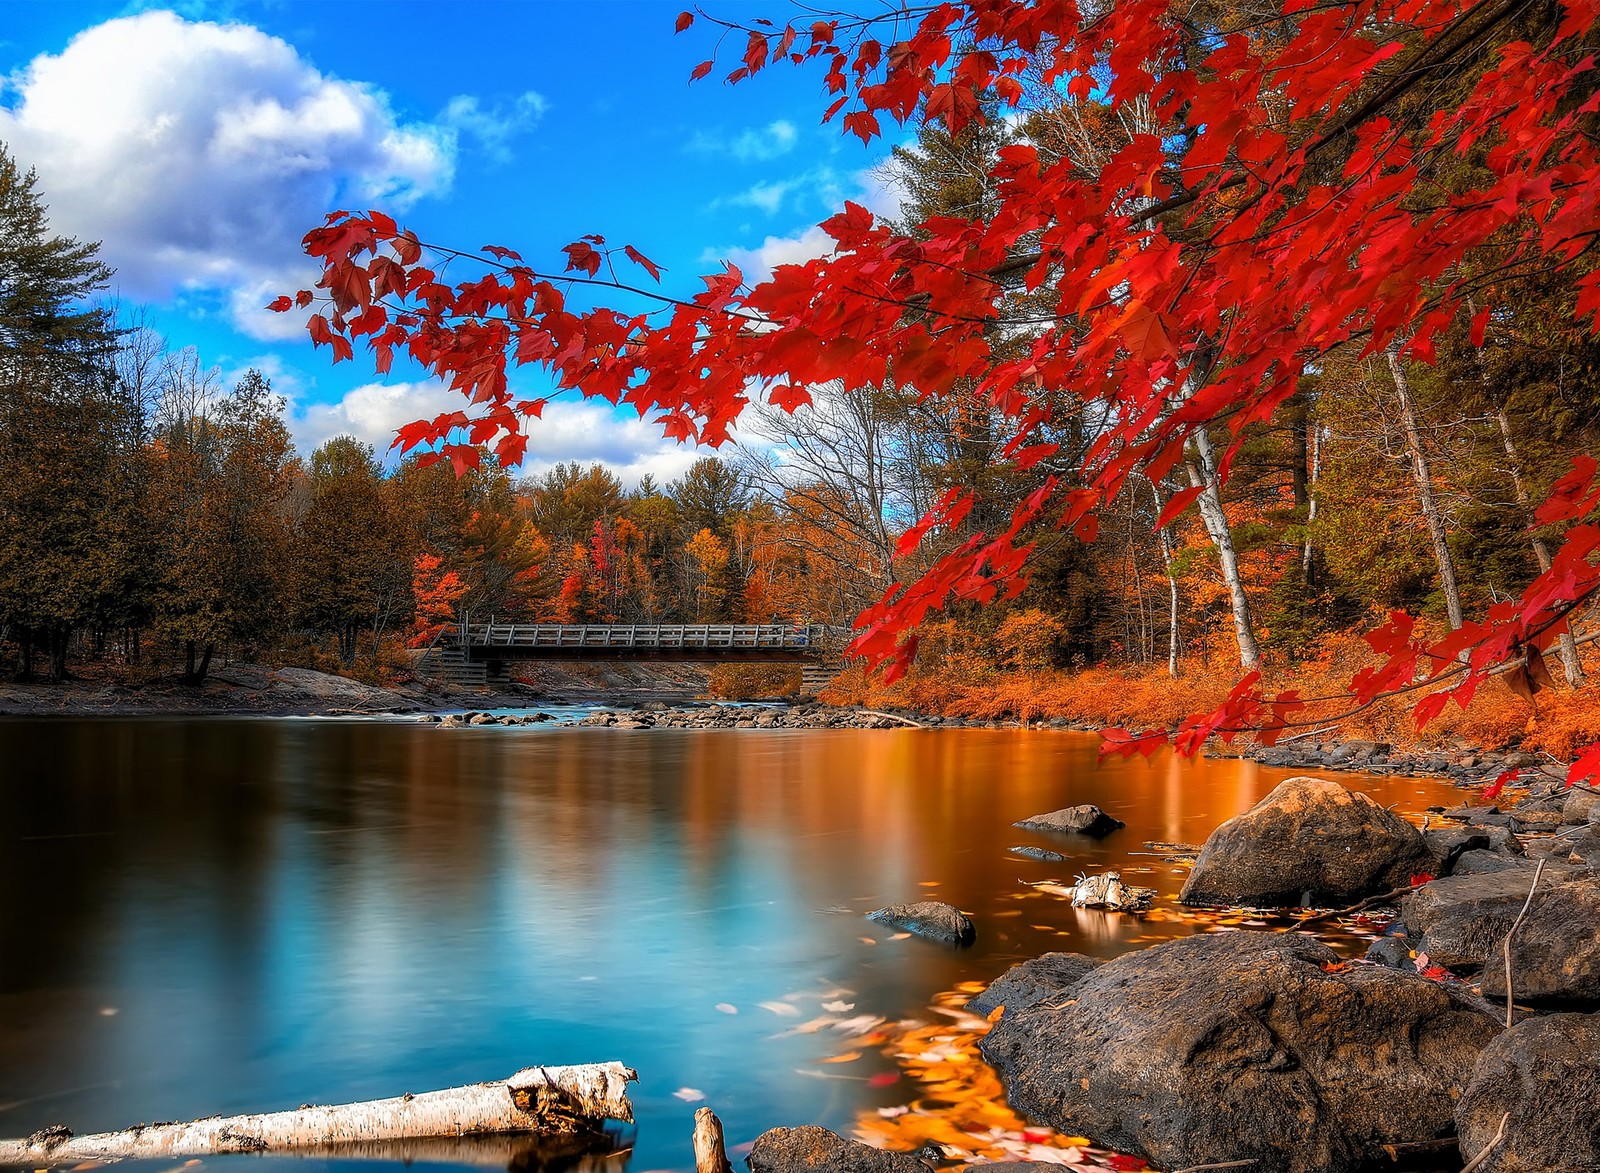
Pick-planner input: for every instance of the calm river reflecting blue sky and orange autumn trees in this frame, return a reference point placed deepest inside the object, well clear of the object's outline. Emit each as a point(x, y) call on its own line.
point(228, 916)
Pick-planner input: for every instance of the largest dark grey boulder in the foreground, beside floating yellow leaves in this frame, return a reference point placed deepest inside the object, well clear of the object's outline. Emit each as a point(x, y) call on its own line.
point(1244, 1047)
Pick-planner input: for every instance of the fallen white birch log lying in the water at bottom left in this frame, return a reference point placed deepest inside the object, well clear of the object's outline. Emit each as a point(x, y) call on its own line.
point(537, 1100)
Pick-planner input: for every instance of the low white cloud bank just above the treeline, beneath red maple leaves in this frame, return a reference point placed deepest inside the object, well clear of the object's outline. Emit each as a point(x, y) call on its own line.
point(586, 431)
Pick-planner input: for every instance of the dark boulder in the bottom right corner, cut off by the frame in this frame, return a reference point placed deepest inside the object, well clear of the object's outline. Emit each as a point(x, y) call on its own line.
point(1546, 1075)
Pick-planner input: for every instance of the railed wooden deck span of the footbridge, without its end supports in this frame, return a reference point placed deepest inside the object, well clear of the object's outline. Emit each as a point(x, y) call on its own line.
point(745, 643)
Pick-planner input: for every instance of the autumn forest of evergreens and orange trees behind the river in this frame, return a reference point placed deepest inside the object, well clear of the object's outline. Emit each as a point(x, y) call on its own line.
point(156, 521)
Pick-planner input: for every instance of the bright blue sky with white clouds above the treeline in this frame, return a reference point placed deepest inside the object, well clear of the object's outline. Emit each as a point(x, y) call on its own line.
point(201, 142)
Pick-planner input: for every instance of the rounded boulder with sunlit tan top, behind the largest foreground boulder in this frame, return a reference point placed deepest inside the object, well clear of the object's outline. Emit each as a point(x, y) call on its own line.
point(1311, 843)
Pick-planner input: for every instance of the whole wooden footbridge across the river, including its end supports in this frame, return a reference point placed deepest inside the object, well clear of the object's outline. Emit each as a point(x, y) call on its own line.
point(471, 652)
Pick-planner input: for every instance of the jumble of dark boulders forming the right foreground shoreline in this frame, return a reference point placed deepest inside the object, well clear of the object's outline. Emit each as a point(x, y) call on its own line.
point(1468, 1033)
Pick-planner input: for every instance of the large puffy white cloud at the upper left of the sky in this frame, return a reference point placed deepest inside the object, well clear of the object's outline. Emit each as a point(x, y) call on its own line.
point(201, 154)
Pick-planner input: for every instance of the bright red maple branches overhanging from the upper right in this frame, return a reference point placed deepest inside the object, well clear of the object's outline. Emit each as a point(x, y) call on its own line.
point(1249, 193)
